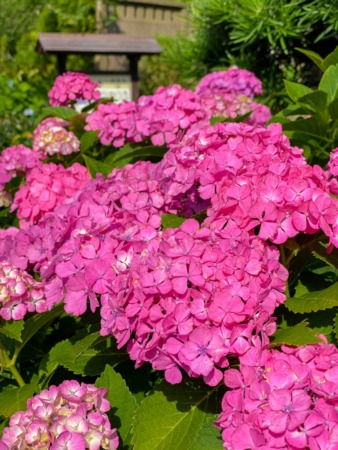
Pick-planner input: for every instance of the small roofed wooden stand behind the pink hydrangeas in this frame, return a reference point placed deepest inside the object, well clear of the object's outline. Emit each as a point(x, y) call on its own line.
point(133, 47)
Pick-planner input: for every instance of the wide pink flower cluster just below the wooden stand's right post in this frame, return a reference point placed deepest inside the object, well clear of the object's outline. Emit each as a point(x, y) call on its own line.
point(158, 117)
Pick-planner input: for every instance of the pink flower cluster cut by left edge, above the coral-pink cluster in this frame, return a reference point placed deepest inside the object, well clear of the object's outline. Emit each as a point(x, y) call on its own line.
point(15, 161)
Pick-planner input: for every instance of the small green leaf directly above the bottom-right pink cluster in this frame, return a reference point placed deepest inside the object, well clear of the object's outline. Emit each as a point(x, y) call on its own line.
point(300, 334)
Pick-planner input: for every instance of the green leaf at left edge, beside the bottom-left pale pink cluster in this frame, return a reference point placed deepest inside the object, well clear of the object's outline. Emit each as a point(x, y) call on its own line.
point(13, 400)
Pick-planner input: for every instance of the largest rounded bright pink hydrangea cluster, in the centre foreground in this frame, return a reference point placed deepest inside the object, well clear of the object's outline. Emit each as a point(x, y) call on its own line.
point(190, 297)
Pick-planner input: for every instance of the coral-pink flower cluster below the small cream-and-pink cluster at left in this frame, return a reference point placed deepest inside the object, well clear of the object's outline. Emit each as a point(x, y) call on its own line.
point(47, 187)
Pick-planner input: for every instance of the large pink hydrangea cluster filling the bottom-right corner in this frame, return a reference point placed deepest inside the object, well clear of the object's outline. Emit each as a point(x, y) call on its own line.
point(282, 399)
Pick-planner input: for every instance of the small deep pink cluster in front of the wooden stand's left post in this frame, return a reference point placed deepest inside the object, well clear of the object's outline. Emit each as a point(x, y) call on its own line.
point(71, 87)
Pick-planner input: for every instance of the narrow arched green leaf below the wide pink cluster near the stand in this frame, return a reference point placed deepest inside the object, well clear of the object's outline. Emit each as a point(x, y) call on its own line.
point(130, 152)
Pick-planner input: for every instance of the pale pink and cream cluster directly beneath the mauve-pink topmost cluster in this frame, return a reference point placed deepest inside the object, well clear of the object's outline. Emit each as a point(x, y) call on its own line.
point(231, 106)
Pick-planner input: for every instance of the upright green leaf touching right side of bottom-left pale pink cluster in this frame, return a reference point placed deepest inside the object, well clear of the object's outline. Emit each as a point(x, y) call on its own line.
point(121, 400)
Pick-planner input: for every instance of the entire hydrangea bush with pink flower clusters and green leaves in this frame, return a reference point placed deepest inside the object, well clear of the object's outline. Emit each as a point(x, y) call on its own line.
point(173, 259)
